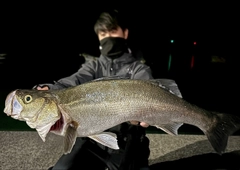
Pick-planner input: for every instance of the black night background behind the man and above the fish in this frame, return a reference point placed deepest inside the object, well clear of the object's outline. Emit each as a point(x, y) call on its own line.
point(42, 43)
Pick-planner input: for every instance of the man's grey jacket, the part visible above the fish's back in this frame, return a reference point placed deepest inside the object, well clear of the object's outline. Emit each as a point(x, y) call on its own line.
point(124, 66)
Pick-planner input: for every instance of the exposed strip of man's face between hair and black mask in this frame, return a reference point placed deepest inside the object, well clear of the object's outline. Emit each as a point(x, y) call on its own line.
point(114, 33)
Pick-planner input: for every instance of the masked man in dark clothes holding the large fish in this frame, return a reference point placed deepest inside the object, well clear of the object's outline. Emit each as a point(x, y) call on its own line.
point(115, 60)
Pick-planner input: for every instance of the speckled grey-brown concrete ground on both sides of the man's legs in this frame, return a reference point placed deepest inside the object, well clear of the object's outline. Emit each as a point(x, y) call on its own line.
point(24, 150)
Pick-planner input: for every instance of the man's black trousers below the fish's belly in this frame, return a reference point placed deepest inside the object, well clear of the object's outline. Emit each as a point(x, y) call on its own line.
point(86, 154)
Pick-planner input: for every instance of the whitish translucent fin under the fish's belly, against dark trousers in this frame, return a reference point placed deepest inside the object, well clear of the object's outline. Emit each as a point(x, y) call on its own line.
point(107, 139)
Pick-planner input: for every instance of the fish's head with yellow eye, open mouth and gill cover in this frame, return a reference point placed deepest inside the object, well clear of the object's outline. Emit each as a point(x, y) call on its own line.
point(38, 108)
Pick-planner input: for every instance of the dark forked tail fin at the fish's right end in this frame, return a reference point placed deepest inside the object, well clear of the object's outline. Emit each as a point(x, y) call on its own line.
point(219, 132)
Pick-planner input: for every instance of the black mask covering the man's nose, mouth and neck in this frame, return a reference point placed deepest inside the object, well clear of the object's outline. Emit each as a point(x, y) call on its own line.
point(113, 47)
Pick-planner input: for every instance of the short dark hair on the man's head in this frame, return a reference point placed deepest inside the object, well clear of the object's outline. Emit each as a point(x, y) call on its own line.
point(110, 20)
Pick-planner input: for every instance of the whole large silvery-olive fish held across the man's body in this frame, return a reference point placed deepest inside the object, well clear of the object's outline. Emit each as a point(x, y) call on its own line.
point(91, 108)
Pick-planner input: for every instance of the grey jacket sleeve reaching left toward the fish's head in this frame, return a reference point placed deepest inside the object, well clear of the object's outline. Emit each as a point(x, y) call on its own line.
point(84, 74)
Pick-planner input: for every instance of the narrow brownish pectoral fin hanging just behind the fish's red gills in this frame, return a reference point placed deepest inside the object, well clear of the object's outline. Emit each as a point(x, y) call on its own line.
point(70, 137)
